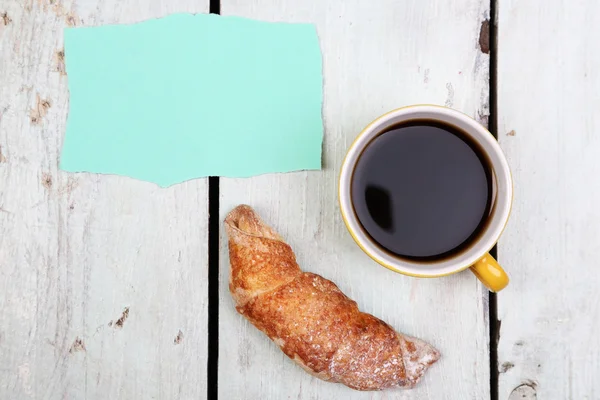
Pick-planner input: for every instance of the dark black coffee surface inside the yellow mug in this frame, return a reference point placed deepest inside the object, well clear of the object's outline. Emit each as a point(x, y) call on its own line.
point(422, 190)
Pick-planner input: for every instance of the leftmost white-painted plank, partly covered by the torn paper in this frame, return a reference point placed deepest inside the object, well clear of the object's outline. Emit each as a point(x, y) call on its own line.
point(103, 279)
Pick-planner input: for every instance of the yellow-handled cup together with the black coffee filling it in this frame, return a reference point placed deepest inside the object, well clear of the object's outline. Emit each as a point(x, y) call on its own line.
point(426, 191)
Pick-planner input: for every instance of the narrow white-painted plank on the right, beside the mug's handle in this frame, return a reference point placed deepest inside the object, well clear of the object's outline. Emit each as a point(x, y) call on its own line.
point(548, 106)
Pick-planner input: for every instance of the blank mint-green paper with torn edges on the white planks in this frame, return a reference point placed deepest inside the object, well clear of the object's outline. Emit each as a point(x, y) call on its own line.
point(188, 96)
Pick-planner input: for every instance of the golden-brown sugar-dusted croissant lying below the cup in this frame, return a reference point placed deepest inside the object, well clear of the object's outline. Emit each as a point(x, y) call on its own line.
point(310, 319)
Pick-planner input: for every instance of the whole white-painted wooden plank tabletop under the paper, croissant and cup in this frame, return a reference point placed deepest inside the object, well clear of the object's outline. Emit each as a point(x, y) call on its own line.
point(104, 280)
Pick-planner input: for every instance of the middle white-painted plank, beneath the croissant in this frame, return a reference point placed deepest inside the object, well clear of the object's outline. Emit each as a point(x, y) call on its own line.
point(378, 55)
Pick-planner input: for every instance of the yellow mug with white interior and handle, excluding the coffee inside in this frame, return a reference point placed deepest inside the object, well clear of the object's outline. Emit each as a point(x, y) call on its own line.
point(476, 256)
